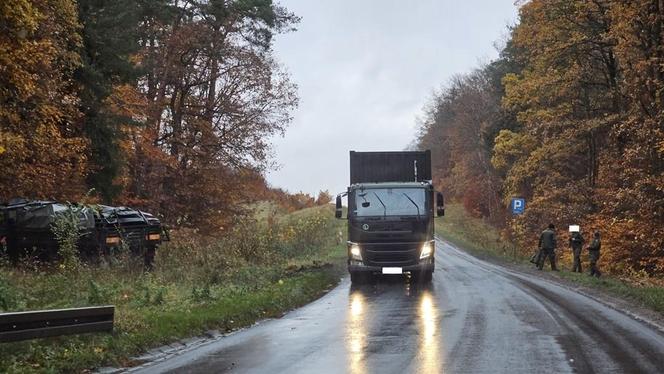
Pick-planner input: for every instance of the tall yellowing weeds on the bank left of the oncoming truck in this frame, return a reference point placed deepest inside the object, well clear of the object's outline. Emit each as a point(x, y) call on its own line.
point(264, 243)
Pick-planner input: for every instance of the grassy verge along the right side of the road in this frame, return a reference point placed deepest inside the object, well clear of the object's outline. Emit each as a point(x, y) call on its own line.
point(483, 240)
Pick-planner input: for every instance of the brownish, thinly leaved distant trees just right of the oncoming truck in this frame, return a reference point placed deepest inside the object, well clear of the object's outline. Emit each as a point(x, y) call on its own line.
point(459, 128)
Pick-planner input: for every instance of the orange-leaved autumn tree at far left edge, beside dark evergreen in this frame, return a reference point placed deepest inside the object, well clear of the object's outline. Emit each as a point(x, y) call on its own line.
point(43, 152)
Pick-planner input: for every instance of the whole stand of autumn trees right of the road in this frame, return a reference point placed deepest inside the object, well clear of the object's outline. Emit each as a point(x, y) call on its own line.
point(571, 119)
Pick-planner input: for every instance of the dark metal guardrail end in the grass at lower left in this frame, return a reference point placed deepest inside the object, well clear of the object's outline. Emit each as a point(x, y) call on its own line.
point(43, 323)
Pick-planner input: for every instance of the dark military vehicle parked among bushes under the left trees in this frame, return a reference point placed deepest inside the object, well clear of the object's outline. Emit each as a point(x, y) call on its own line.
point(25, 230)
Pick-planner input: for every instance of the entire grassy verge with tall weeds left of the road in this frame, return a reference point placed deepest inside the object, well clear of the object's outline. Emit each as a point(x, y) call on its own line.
point(257, 272)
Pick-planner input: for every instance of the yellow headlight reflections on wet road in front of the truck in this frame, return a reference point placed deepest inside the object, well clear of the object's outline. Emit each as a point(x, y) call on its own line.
point(413, 329)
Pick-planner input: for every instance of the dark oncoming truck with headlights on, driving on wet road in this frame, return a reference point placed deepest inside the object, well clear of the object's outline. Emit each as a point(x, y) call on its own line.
point(391, 207)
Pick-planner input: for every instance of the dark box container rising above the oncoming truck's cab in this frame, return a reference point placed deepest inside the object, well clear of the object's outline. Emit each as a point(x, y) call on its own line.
point(377, 167)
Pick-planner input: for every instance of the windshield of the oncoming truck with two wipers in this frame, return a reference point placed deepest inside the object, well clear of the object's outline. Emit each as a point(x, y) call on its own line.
point(390, 202)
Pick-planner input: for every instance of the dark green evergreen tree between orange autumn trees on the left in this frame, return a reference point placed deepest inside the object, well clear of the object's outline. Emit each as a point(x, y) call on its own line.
point(110, 43)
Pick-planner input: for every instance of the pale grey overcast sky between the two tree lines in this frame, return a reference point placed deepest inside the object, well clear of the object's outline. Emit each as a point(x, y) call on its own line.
point(365, 69)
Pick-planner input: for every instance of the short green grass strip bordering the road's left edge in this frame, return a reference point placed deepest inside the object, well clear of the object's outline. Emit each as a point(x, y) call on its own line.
point(144, 327)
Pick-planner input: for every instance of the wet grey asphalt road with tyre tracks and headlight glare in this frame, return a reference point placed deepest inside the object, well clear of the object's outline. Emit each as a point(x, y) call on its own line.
point(476, 317)
